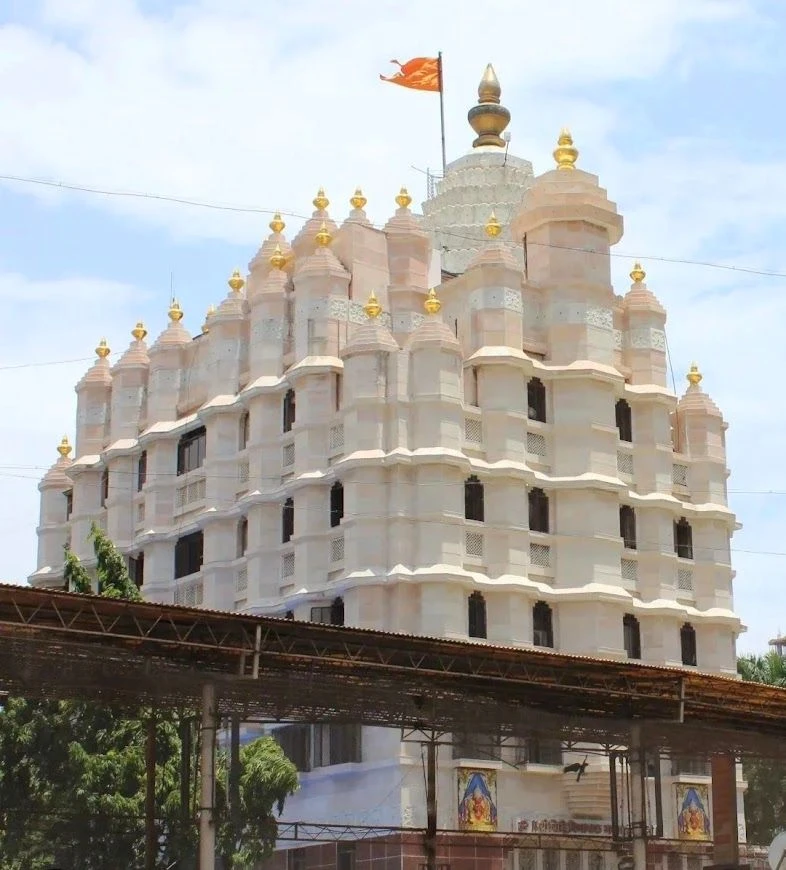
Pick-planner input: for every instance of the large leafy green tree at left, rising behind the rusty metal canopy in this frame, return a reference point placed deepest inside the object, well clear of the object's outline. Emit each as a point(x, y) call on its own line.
point(72, 777)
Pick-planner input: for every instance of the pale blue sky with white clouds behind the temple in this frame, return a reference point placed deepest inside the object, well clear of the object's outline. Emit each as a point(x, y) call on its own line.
point(673, 105)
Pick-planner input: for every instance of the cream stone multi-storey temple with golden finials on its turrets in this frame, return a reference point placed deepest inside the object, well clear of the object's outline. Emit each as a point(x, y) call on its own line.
point(450, 425)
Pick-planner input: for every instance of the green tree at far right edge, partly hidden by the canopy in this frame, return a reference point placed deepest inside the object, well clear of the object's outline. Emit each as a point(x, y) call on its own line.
point(765, 800)
